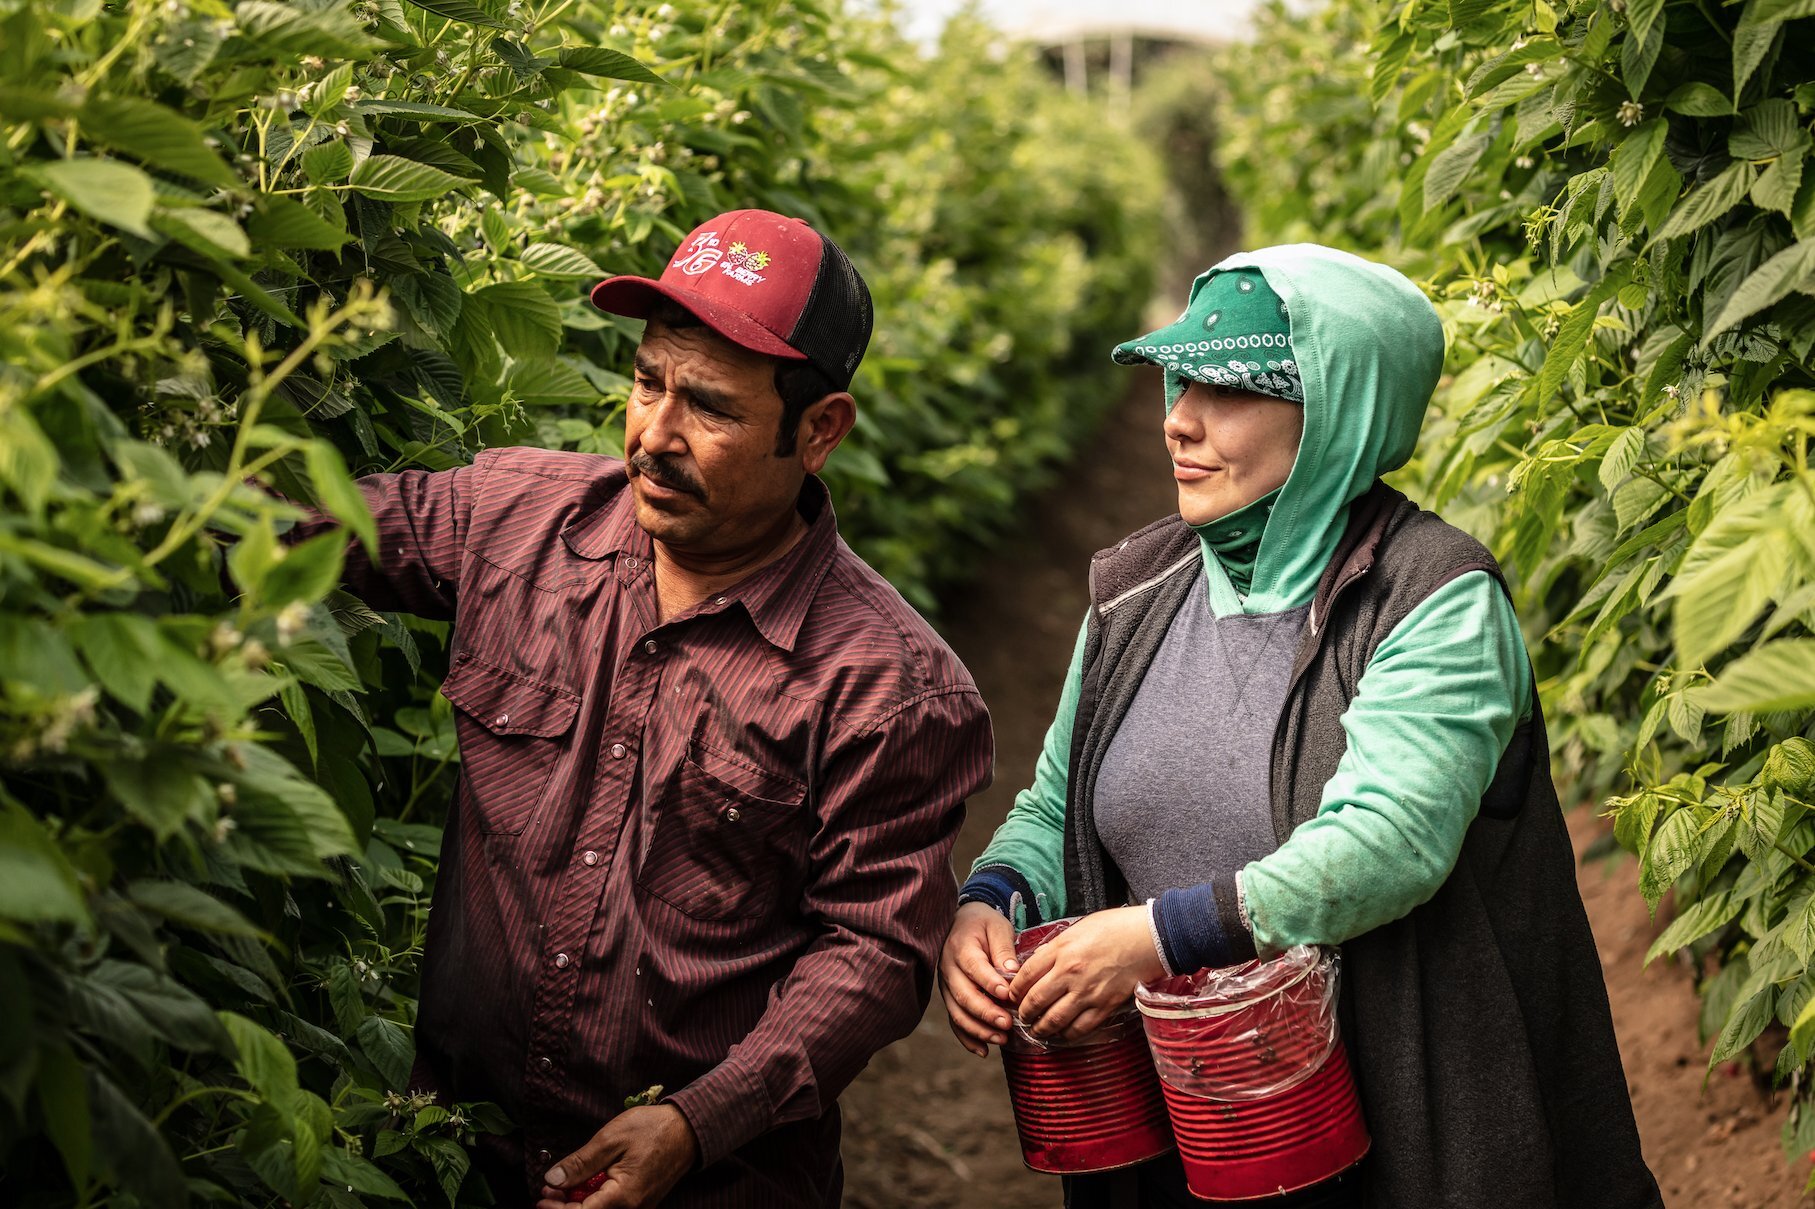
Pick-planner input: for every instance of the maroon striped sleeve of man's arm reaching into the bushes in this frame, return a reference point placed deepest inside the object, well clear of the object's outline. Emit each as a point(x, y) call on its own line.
point(422, 520)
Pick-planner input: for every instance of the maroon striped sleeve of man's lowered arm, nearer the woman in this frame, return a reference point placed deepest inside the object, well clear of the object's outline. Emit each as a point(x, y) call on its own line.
point(881, 890)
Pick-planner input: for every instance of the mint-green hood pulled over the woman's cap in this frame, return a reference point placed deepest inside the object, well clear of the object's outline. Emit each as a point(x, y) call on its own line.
point(1369, 351)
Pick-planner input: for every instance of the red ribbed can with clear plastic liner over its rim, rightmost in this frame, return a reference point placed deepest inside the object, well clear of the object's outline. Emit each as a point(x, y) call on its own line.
point(1257, 1081)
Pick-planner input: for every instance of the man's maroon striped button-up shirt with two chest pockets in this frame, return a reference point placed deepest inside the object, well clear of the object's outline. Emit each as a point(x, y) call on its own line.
point(709, 854)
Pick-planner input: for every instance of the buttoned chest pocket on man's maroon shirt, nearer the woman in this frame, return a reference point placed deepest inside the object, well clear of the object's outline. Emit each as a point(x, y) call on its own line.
point(727, 841)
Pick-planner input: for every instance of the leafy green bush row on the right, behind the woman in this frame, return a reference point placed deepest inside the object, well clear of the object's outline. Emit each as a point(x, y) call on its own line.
point(1614, 204)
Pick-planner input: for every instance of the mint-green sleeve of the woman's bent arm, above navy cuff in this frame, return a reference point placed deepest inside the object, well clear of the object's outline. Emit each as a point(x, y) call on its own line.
point(1427, 729)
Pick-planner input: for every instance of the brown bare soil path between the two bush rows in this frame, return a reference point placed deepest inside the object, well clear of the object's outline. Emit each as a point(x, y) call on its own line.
point(928, 1125)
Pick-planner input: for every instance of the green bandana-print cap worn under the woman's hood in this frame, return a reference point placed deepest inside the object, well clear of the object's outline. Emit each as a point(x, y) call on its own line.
point(1235, 333)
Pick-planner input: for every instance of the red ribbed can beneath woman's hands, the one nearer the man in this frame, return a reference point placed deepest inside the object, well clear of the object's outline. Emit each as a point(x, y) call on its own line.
point(1086, 1106)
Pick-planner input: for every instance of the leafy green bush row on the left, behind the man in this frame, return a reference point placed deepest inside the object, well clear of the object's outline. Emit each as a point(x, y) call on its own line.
point(317, 239)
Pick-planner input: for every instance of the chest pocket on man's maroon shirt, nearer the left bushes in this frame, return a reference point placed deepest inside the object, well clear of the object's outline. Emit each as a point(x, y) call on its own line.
point(513, 736)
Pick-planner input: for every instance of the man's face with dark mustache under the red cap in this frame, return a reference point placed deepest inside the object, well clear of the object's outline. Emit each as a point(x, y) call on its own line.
point(700, 437)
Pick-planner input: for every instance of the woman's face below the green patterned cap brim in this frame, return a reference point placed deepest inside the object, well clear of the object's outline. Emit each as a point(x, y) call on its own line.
point(1230, 447)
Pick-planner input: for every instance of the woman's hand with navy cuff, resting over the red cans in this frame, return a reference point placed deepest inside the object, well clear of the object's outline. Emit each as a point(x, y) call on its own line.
point(1077, 979)
